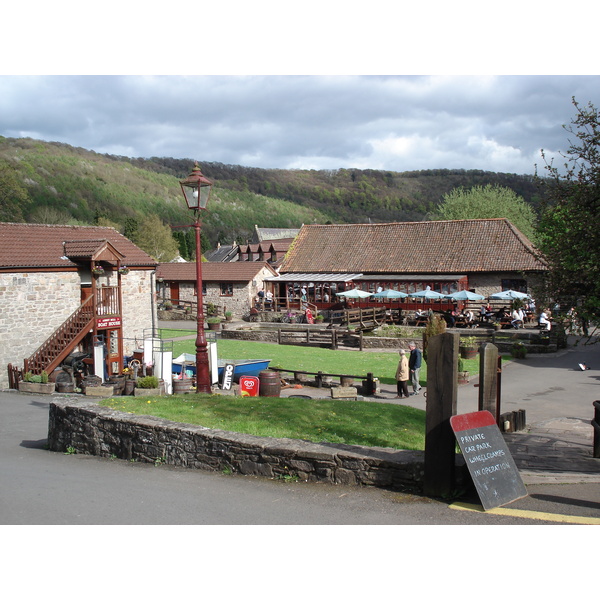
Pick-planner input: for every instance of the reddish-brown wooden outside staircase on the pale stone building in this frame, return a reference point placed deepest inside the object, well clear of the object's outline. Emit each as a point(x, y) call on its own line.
point(60, 344)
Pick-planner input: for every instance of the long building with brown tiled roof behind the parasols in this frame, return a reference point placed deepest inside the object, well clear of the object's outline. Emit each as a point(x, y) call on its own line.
point(481, 255)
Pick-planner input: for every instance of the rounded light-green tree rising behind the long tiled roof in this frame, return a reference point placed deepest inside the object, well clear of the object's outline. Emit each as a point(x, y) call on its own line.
point(489, 202)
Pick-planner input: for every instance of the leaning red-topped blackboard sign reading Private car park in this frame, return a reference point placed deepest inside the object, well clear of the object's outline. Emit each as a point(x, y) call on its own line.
point(488, 459)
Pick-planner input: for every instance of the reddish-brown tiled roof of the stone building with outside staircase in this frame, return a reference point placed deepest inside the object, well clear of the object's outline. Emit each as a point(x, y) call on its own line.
point(32, 245)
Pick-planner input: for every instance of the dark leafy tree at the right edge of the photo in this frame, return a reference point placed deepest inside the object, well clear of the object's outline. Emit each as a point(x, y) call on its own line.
point(569, 232)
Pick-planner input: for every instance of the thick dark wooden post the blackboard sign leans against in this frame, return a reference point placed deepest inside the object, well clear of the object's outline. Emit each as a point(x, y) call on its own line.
point(442, 386)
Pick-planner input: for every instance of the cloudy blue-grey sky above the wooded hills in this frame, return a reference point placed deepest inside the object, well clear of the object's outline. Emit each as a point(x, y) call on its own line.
point(496, 123)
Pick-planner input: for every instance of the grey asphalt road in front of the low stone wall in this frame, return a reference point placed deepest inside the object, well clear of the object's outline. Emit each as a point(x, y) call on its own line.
point(39, 487)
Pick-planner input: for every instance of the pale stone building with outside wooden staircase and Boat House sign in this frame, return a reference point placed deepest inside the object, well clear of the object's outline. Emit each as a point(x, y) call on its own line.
point(71, 288)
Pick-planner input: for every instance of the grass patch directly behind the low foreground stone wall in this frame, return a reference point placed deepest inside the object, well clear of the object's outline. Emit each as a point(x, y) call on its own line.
point(356, 423)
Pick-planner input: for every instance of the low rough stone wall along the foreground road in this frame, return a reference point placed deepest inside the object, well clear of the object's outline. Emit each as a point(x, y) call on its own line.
point(101, 431)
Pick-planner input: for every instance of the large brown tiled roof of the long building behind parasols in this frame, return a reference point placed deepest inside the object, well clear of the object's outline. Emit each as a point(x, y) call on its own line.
point(477, 245)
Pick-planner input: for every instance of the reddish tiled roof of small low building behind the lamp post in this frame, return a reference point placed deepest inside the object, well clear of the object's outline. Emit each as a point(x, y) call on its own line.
point(228, 271)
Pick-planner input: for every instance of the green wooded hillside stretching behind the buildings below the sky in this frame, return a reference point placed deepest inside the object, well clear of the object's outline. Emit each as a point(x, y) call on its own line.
point(66, 184)
